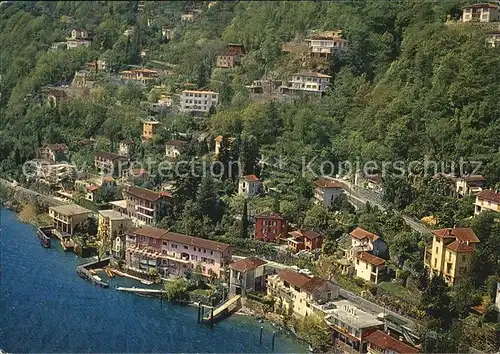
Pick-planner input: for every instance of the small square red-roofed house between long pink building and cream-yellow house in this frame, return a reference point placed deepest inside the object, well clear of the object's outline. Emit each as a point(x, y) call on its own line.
point(247, 275)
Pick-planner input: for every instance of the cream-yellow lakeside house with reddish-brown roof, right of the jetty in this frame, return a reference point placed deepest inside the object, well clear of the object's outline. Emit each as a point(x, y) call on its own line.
point(298, 294)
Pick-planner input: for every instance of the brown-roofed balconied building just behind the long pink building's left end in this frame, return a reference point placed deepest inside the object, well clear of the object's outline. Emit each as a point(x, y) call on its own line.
point(145, 206)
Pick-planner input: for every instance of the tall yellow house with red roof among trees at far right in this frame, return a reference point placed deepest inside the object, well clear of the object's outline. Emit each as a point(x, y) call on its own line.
point(451, 253)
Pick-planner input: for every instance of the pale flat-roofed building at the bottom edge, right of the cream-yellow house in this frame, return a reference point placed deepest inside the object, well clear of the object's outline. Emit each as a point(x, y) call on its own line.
point(351, 326)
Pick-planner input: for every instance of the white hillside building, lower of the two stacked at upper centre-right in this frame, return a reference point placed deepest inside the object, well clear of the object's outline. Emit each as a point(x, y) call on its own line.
point(307, 83)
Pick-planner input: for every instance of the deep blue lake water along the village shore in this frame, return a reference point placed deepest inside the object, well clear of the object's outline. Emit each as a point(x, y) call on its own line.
point(46, 307)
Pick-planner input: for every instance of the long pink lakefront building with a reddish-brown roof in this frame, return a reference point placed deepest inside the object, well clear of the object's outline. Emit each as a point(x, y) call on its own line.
point(172, 254)
